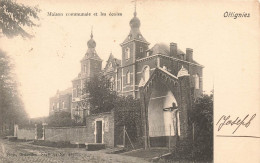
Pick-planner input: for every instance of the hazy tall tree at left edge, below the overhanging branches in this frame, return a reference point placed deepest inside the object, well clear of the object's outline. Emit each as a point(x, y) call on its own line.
point(11, 106)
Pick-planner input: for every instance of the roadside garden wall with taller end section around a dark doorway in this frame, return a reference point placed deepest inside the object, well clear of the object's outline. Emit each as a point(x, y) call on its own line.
point(85, 134)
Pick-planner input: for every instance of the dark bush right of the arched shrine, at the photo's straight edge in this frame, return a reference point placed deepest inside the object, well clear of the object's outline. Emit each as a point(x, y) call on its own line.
point(202, 117)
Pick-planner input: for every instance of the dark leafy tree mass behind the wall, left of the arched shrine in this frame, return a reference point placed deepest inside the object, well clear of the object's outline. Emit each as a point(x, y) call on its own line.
point(127, 113)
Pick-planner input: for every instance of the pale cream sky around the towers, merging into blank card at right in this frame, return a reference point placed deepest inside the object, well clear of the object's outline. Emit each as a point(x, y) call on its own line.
point(51, 59)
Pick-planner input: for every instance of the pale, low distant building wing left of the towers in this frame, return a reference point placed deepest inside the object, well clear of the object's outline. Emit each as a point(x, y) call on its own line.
point(61, 101)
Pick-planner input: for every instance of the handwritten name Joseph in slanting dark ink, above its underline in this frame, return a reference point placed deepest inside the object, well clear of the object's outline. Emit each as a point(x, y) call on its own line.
point(225, 121)
